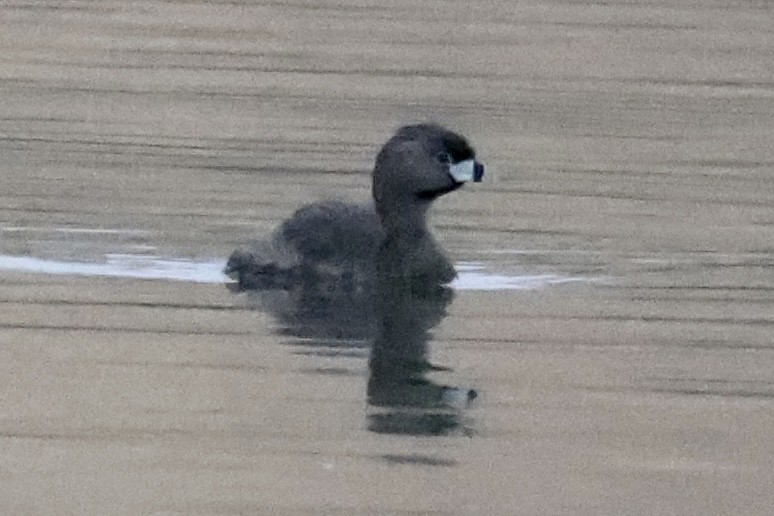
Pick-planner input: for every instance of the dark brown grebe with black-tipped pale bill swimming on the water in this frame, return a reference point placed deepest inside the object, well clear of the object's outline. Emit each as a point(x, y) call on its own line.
point(348, 246)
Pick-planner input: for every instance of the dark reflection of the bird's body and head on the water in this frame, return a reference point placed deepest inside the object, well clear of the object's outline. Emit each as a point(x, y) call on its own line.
point(394, 321)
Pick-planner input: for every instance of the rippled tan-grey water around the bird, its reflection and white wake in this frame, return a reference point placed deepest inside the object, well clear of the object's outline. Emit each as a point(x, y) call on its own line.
point(629, 142)
